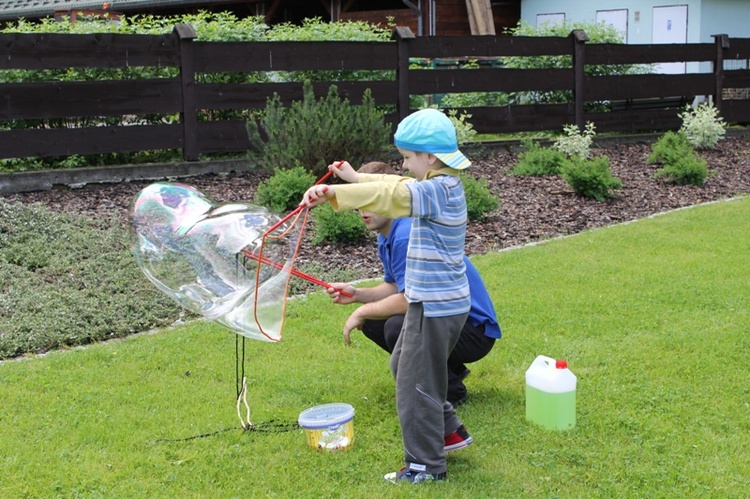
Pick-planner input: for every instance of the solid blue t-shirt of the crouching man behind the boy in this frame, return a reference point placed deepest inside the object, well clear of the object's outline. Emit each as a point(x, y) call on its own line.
point(392, 251)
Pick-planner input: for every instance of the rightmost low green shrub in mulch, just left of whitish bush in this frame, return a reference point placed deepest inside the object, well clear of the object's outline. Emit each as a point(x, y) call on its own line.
point(680, 163)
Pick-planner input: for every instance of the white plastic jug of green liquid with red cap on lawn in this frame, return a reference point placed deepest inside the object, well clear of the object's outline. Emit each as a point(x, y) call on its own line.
point(551, 394)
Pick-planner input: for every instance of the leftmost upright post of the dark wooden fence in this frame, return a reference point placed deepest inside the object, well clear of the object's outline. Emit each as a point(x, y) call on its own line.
point(188, 117)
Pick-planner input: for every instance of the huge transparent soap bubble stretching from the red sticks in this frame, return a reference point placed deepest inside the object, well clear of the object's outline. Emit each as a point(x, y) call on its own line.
point(213, 259)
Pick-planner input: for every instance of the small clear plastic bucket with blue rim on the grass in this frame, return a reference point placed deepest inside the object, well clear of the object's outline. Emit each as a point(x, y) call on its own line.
point(328, 427)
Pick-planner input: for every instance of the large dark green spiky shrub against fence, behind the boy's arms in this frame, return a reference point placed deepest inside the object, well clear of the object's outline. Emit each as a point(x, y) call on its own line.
point(314, 133)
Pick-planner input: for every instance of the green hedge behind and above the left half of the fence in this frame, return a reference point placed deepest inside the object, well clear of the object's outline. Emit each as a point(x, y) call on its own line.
point(217, 26)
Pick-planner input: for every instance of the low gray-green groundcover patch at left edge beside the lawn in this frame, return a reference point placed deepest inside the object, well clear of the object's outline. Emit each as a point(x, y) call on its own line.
point(65, 281)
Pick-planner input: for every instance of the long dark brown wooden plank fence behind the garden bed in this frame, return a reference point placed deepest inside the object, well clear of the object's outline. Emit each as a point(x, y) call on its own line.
point(183, 96)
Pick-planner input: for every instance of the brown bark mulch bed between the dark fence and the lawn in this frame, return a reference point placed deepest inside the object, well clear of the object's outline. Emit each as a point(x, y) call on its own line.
point(532, 208)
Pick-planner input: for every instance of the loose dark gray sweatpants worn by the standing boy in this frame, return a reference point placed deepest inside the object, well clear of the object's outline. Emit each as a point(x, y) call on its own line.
point(419, 365)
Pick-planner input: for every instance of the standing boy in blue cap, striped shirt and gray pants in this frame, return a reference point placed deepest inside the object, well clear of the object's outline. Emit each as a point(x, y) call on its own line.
point(437, 289)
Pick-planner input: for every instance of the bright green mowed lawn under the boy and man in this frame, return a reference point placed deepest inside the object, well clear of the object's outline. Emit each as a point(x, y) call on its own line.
point(652, 317)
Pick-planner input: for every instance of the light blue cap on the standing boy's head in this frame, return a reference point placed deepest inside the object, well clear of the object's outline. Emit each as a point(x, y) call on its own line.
point(433, 132)
